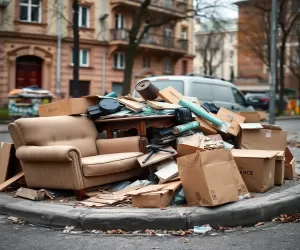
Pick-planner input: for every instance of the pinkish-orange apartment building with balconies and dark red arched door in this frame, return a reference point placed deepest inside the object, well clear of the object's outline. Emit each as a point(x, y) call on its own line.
point(29, 32)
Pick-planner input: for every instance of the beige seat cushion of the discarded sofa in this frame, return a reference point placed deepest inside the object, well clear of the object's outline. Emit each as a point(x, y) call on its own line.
point(109, 163)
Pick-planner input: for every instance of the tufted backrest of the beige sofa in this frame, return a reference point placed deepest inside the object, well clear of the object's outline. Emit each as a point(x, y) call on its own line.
point(77, 131)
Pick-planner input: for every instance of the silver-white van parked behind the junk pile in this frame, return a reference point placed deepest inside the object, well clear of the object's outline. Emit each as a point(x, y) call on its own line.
point(211, 90)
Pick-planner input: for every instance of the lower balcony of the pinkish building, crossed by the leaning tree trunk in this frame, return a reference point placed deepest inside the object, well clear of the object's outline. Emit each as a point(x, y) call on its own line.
point(152, 41)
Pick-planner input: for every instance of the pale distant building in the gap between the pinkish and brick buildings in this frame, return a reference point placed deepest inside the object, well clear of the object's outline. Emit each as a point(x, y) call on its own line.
point(219, 45)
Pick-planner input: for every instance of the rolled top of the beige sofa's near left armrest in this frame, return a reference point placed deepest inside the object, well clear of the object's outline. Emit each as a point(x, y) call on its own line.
point(59, 153)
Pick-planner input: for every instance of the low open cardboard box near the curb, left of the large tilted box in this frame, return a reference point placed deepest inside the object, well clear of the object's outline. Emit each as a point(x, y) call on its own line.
point(156, 198)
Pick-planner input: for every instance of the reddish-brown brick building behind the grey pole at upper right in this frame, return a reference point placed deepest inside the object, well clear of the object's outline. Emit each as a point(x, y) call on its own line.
point(253, 72)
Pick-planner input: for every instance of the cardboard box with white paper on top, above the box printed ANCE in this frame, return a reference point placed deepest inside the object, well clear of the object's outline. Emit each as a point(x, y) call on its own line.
point(267, 138)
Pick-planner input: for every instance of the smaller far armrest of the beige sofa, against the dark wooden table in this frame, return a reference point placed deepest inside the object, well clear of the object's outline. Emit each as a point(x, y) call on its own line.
point(118, 145)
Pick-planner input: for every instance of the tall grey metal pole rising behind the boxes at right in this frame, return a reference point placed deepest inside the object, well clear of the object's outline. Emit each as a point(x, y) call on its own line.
point(272, 75)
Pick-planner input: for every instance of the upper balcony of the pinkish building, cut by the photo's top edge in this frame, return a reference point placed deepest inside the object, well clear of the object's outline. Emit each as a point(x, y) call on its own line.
point(168, 7)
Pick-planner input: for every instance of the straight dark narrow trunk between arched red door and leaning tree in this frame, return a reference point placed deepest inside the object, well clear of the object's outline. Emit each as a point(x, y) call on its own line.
point(76, 43)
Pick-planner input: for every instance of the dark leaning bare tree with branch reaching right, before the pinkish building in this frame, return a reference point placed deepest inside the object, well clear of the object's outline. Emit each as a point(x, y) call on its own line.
point(139, 28)
